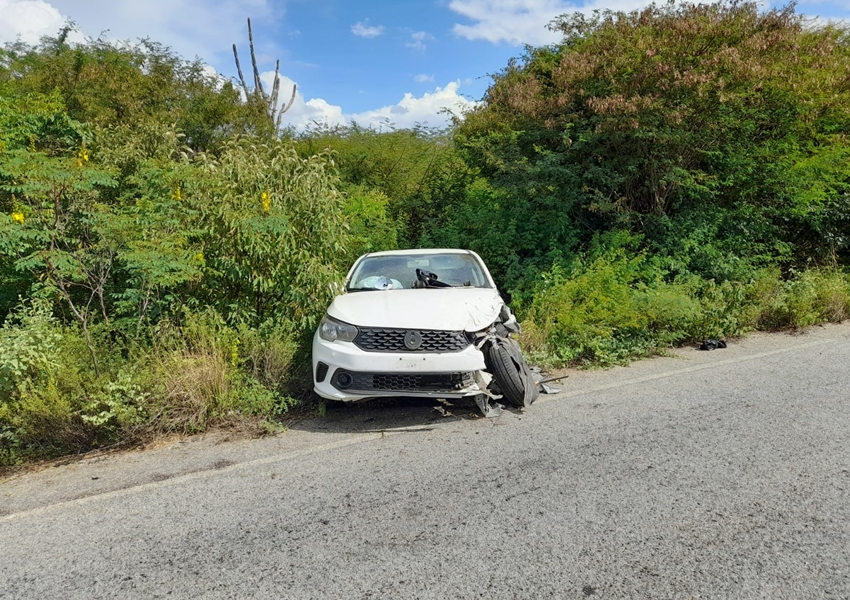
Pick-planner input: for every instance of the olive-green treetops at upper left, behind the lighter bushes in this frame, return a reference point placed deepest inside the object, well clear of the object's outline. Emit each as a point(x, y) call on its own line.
point(133, 85)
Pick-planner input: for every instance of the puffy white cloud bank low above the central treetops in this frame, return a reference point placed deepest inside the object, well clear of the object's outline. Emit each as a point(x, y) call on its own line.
point(428, 109)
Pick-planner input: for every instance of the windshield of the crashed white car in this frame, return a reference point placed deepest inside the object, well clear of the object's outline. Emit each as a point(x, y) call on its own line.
point(410, 271)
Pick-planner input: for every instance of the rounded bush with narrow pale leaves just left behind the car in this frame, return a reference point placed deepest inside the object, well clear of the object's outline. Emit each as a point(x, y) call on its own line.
point(273, 230)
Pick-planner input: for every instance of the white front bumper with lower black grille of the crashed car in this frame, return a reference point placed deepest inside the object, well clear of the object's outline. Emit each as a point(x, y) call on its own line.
point(380, 374)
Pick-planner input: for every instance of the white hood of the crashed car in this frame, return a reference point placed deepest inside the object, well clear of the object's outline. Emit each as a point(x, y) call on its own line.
point(456, 309)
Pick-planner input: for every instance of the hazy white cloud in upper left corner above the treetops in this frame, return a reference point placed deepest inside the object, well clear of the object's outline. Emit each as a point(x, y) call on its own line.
point(191, 27)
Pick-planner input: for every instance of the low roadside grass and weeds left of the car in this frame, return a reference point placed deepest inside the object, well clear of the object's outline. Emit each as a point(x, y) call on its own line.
point(199, 373)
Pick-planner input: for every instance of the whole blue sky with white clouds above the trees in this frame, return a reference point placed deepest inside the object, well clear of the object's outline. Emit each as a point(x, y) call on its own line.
point(369, 60)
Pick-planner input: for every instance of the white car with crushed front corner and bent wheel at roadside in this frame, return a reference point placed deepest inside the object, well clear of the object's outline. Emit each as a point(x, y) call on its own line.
point(421, 323)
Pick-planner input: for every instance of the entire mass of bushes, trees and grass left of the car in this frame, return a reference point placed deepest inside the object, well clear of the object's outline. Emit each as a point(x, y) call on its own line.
point(132, 243)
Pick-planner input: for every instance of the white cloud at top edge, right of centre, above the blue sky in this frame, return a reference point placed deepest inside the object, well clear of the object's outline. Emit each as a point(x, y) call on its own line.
point(523, 21)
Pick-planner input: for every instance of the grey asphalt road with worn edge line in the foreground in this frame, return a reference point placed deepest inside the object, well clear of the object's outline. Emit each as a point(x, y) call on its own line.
point(720, 474)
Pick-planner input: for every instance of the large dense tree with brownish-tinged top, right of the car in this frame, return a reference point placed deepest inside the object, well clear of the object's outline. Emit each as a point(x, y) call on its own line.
point(678, 121)
